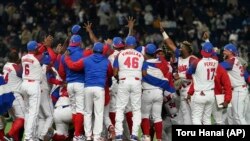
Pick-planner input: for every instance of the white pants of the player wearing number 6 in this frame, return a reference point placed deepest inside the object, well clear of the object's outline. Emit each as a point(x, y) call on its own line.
point(32, 91)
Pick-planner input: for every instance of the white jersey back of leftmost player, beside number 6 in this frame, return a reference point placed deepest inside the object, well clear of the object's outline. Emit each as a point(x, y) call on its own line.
point(10, 75)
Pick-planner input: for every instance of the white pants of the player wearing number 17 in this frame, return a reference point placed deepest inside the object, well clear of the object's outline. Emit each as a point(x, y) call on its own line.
point(201, 107)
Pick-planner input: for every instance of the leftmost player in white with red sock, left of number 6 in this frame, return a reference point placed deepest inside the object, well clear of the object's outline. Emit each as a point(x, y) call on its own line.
point(12, 73)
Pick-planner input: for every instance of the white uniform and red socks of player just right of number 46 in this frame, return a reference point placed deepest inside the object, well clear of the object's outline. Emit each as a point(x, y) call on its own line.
point(152, 99)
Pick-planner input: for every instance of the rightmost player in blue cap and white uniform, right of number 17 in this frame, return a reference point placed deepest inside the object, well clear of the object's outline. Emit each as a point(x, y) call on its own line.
point(236, 114)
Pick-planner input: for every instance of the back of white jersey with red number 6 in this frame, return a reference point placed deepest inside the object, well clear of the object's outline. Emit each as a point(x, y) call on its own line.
point(32, 69)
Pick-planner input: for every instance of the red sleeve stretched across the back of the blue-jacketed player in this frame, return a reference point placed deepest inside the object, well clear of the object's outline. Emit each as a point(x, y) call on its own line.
point(76, 66)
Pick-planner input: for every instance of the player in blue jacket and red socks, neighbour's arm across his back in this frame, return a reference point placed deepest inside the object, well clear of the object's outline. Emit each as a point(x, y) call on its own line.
point(75, 86)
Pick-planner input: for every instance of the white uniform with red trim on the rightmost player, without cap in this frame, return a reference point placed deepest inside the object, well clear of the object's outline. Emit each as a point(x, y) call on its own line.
point(236, 113)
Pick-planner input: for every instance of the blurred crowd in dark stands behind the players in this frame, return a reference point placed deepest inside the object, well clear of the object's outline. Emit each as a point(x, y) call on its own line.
point(227, 21)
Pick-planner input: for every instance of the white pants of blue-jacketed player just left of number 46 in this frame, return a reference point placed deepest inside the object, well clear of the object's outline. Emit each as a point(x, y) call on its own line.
point(94, 100)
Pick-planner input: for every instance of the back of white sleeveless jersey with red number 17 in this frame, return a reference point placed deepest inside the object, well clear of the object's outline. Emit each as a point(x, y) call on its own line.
point(203, 77)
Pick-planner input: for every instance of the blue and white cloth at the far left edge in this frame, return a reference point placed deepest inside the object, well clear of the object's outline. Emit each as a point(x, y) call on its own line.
point(6, 97)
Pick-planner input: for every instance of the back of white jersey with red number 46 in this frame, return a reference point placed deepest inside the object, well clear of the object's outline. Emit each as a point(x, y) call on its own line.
point(130, 63)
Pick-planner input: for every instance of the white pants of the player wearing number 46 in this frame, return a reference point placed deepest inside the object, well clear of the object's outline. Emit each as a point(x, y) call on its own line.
point(128, 89)
